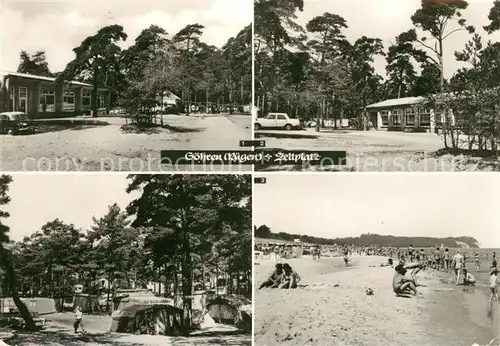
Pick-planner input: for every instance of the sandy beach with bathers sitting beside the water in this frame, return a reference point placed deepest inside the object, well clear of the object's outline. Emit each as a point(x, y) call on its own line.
point(324, 314)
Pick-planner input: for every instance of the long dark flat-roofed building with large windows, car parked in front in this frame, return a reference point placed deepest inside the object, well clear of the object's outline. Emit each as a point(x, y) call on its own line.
point(40, 97)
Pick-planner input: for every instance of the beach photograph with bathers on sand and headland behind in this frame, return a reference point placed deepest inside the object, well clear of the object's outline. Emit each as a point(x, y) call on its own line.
point(378, 259)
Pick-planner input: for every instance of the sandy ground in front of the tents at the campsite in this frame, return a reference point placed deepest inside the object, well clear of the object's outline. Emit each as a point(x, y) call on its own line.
point(59, 333)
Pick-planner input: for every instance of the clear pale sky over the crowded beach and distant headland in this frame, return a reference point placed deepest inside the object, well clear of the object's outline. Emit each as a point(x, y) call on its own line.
point(348, 205)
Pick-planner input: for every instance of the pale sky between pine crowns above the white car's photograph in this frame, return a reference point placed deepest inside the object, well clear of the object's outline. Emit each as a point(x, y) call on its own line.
point(385, 19)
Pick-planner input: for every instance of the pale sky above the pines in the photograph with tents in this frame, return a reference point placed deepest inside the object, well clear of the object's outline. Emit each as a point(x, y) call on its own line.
point(73, 198)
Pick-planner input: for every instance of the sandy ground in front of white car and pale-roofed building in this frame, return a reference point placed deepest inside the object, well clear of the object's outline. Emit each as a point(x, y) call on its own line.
point(375, 151)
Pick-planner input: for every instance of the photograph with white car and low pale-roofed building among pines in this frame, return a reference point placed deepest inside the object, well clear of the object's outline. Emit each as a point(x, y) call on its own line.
point(398, 85)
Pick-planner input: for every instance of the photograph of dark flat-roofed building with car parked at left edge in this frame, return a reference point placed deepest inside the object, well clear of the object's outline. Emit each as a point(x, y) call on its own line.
point(98, 85)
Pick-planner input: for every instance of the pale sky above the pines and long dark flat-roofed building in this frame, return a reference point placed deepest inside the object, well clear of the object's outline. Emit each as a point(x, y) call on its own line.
point(59, 26)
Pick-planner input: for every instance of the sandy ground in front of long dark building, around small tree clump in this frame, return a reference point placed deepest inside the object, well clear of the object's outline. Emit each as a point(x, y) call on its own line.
point(107, 148)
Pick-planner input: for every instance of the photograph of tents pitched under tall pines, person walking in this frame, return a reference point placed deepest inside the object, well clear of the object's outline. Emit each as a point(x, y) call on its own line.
point(125, 260)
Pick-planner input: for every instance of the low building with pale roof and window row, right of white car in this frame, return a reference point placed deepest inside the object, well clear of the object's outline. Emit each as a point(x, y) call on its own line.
point(407, 114)
